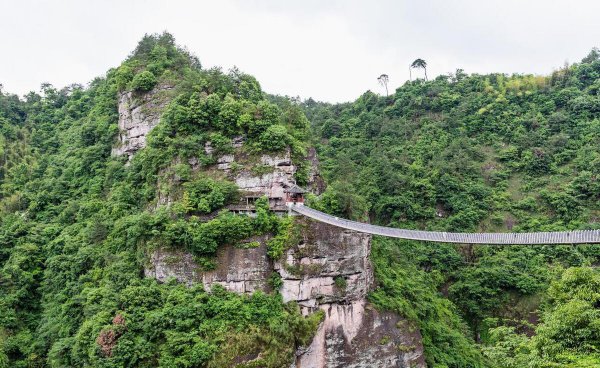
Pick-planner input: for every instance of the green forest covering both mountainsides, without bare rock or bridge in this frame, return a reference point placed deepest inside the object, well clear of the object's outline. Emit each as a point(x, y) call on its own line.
point(458, 153)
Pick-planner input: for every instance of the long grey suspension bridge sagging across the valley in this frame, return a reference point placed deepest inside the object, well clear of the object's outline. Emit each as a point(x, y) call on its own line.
point(559, 237)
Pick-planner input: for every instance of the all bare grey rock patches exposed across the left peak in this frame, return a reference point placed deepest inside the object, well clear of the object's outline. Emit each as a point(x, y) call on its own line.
point(328, 269)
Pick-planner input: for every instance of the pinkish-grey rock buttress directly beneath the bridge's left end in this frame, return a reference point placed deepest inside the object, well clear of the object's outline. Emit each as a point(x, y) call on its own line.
point(331, 270)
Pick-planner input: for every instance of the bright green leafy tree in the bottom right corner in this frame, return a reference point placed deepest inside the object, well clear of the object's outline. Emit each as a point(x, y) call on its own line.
point(568, 334)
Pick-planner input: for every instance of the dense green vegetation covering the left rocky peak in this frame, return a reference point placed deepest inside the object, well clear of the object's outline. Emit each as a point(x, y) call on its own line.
point(76, 224)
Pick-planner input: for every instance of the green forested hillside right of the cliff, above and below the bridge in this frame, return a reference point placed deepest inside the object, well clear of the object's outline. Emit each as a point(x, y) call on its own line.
point(478, 153)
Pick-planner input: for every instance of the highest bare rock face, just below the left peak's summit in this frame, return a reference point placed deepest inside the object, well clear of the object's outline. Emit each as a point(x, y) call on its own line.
point(138, 115)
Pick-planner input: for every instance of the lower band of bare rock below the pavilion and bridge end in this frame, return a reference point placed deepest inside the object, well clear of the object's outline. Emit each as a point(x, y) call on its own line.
point(329, 269)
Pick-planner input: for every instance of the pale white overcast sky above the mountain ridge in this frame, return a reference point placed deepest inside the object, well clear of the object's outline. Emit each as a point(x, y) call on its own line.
point(329, 50)
